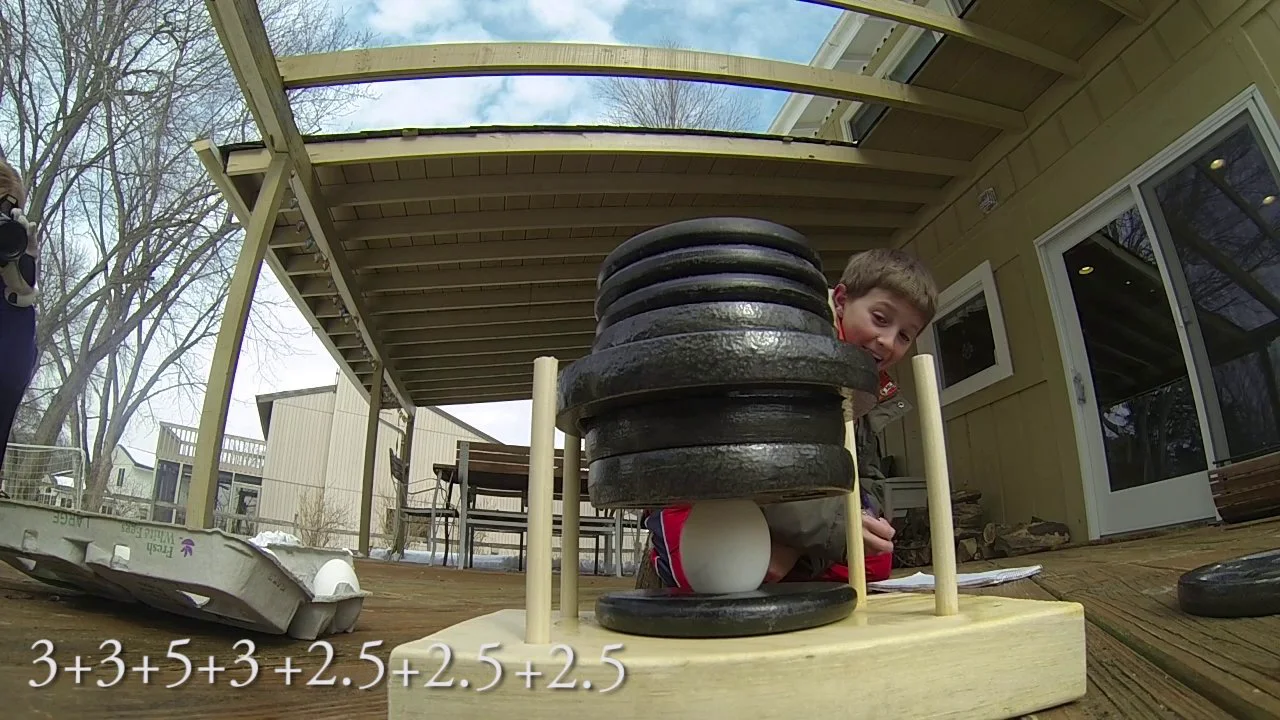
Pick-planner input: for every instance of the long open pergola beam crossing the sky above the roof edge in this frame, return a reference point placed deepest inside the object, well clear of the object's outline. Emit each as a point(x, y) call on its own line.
point(481, 60)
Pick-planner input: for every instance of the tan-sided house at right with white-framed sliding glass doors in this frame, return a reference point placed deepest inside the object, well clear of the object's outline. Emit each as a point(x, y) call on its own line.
point(1110, 300)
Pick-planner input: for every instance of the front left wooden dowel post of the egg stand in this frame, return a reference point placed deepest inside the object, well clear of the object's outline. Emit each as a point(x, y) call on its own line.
point(542, 493)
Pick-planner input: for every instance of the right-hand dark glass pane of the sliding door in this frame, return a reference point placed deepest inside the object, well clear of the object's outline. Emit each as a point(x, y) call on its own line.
point(1219, 208)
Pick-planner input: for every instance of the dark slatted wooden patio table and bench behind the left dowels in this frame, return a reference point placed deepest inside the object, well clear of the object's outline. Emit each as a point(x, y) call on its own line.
point(502, 471)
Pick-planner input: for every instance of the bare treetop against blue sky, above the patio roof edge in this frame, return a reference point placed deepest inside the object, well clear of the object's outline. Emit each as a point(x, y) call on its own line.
point(660, 103)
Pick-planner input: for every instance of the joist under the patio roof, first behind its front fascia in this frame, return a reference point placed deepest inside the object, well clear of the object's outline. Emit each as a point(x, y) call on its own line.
point(578, 184)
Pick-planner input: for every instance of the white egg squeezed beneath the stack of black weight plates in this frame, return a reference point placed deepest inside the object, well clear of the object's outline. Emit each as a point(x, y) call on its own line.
point(725, 546)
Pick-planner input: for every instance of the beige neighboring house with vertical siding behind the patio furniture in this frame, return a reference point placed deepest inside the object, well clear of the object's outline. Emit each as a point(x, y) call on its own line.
point(316, 454)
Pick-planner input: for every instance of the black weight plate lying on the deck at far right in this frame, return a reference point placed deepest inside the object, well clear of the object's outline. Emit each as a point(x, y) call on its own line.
point(1244, 587)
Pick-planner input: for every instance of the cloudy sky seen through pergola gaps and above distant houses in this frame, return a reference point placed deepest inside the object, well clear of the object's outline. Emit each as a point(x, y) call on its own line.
point(783, 30)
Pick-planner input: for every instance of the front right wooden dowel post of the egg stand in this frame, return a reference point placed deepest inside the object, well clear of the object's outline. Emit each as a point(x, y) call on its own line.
point(947, 594)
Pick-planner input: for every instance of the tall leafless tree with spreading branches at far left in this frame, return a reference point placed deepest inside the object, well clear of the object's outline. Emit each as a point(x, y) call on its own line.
point(100, 104)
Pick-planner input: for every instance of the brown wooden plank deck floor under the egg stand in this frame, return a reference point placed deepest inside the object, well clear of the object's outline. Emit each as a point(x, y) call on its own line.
point(1146, 658)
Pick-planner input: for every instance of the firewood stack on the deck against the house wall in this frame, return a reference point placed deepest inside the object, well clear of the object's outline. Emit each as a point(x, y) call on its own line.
point(976, 540)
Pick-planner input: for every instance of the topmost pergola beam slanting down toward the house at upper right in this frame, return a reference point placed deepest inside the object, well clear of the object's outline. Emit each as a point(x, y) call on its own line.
point(962, 30)
